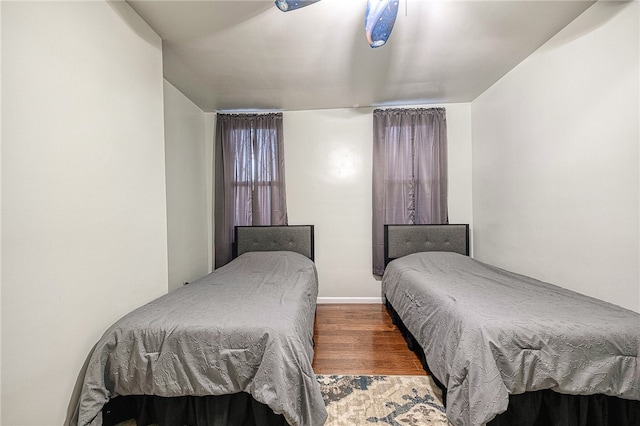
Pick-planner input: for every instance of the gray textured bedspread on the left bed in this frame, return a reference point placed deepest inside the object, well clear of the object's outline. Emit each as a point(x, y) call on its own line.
point(247, 327)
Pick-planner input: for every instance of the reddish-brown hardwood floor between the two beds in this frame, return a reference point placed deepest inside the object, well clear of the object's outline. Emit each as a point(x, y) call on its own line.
point(360, 339)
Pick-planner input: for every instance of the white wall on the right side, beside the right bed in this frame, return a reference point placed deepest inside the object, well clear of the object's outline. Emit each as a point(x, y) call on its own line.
point(556, 161)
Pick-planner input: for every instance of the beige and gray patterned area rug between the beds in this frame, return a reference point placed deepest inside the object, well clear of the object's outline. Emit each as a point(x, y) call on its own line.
point(391, 400)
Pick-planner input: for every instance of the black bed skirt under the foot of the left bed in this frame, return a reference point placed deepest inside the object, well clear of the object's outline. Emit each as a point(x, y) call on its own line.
point(236, 409)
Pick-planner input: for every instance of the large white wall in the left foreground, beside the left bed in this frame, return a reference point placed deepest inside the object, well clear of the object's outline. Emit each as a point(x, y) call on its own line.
point(84, 236)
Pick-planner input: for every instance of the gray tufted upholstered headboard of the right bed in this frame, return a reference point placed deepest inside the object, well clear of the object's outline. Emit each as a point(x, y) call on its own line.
point(401, 240)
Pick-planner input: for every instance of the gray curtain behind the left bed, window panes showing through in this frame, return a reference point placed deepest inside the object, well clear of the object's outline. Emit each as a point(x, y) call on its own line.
point(249, 183)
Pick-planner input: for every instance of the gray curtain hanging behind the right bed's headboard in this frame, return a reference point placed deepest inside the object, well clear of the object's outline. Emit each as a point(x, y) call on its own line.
point(409, 171)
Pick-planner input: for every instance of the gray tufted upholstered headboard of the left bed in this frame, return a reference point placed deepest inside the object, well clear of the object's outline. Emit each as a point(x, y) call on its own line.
point(296, 238)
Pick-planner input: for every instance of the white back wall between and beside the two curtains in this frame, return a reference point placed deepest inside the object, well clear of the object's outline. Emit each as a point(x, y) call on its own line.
point(328, 156)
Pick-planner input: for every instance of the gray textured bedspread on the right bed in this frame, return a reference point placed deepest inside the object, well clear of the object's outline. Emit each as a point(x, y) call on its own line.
point(488, 333)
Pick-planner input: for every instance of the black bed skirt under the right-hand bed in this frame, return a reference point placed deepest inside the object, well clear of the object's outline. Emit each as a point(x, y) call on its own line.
point(546, 407)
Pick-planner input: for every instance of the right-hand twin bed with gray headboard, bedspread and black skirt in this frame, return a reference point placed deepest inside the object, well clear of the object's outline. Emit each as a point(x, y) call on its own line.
point(505, 348)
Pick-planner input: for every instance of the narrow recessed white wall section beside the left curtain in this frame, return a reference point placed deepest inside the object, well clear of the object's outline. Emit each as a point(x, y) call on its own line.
point(187, 178)
